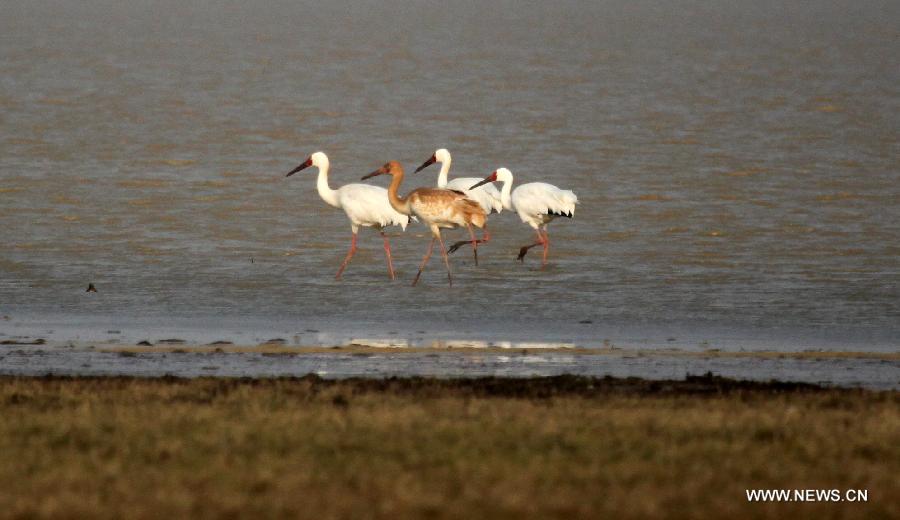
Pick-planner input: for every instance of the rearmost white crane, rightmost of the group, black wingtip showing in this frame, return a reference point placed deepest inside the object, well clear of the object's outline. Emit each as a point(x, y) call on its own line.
point(537, 204)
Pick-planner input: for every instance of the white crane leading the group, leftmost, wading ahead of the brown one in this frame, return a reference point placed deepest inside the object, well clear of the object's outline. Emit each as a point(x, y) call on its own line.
point(364, 204)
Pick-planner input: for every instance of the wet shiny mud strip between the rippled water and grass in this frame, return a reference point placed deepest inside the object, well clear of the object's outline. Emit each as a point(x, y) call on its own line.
point(875, 370)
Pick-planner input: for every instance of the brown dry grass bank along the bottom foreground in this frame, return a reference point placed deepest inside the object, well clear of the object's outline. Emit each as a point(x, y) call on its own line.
point(557, 447)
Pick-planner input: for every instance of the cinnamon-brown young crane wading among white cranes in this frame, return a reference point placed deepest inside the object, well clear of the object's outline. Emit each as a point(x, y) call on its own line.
point(437, 208)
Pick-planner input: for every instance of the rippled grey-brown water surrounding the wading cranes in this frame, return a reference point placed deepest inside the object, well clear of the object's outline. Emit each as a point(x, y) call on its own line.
point(737, 166)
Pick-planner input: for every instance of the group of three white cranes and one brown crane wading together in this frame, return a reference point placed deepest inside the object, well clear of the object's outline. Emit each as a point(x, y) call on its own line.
point(462, 202)
